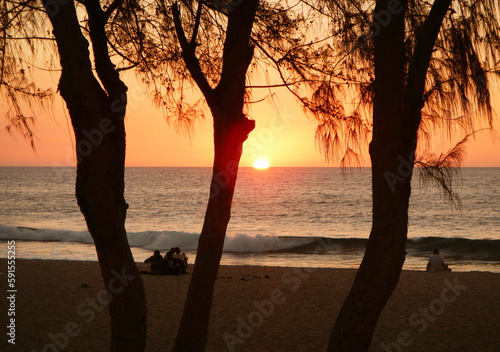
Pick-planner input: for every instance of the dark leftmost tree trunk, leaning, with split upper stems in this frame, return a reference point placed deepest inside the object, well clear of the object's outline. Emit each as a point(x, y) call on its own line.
point(97, 119)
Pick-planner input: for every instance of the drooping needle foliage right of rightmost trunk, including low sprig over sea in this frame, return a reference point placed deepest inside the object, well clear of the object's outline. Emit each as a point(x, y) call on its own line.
point(457, 97)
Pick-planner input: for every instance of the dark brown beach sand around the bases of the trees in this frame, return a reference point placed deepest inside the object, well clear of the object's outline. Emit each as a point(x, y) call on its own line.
point(427, 312)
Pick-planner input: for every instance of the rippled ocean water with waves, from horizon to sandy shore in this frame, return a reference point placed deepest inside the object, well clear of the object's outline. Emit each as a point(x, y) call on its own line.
point(305, 217)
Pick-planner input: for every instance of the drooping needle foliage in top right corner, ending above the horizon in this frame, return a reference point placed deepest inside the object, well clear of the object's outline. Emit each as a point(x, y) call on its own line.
point(466, 59)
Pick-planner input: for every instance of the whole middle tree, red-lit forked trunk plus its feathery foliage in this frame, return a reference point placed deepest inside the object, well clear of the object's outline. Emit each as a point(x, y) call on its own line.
point(217, 46)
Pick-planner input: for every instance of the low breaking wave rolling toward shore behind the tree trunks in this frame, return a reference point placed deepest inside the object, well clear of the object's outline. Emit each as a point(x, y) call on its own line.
point(452, 248)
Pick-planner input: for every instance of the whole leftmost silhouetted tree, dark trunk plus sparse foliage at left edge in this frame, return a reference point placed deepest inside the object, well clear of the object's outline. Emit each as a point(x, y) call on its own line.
point(96, 107)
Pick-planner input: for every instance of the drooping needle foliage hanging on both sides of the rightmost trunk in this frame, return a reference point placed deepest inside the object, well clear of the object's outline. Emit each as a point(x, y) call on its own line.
point(464, 64)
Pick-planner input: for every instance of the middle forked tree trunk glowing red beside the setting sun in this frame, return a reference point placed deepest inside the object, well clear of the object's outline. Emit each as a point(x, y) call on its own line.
point(231, 129)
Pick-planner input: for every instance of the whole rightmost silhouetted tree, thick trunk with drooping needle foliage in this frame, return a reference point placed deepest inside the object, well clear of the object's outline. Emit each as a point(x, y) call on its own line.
point(421, 67)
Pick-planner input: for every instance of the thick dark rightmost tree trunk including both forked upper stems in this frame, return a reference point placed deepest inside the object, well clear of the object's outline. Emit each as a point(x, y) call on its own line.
point(398, 100)
